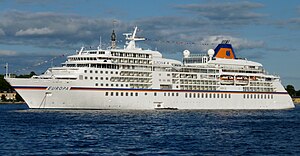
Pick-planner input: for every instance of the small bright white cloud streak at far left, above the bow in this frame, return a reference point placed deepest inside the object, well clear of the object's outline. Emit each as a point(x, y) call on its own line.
point(34, 31)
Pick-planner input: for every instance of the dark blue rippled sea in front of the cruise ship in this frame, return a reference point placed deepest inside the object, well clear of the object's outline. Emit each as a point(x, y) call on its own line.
point(26, 131)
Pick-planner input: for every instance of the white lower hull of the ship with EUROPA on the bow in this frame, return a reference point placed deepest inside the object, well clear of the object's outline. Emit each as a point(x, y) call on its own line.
point(70, 96)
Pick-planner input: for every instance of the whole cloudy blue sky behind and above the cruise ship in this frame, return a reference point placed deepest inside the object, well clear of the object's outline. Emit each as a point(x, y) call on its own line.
point(35, 34)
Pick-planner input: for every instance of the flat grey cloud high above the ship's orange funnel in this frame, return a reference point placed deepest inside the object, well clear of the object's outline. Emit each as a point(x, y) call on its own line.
point(225, 13)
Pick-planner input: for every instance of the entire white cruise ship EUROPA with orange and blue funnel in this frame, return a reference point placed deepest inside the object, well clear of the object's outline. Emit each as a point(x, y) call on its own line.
point(139, 79)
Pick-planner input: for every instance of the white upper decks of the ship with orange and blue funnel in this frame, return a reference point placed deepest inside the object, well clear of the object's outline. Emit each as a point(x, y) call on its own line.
point(138, 68)
